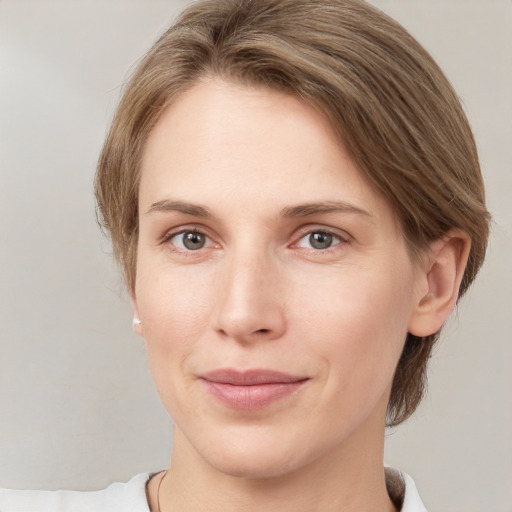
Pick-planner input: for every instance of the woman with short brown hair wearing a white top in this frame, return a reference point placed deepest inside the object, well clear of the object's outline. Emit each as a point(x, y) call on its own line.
point(293, 193)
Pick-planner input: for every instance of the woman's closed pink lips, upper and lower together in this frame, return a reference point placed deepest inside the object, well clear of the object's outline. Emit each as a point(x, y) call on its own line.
point(252, 389)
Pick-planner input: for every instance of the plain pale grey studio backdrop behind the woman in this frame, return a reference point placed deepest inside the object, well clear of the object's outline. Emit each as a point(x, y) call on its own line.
point(77, 404)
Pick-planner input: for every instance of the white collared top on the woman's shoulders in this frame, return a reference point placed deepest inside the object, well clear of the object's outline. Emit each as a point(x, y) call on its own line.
point(131, 497)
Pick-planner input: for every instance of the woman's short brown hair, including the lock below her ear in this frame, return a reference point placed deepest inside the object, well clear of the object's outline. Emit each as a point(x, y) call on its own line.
point(384, 95)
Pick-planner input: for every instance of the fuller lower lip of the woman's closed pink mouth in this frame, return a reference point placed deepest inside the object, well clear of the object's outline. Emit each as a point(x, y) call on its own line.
point(253, 397)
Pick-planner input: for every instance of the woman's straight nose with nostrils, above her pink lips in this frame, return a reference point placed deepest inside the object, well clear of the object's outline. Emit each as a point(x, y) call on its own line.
point(250, 303)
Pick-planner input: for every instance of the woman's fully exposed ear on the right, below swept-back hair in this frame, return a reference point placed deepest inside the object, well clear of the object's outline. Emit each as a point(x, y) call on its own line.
point(440, 276)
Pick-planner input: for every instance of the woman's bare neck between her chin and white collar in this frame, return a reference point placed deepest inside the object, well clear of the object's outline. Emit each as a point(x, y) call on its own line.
point(345, 479)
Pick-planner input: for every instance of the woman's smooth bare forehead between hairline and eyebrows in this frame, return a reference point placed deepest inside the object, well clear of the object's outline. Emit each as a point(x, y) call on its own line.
point(223, 142)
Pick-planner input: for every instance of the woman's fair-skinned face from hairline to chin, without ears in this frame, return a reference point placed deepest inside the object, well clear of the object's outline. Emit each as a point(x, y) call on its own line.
point(274, 287)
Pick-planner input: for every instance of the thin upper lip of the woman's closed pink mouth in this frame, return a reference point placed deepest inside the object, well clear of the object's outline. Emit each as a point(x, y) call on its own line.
point(250, 377)
